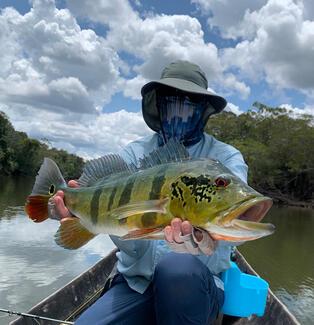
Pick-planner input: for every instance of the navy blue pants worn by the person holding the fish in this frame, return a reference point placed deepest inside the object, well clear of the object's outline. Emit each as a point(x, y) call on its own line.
point(183, 291)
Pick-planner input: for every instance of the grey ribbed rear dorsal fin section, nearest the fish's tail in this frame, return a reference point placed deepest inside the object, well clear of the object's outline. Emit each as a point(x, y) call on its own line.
point(99, 168)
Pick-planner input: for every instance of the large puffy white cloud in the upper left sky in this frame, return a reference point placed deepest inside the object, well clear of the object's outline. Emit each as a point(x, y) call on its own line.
point(52, 63)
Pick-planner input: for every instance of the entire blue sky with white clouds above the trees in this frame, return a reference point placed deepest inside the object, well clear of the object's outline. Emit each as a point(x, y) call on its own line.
point(71, 71)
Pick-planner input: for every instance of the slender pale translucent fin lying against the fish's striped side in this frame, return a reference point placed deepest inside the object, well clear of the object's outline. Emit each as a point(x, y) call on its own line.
point(131, 209)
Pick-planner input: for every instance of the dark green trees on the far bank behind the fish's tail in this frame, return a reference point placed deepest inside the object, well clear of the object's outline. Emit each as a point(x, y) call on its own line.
point(22, 155)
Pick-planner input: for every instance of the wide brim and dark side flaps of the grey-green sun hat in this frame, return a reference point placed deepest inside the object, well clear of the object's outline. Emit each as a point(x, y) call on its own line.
point(149, 108)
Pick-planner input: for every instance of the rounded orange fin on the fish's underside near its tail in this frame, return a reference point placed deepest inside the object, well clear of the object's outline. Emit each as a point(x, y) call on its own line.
point(72, 234)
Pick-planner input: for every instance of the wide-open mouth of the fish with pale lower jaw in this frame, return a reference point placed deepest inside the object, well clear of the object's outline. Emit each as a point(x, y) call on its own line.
point(242, 222)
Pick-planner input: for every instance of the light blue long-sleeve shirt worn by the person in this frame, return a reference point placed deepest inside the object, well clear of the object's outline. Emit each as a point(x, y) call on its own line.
point(137, 259)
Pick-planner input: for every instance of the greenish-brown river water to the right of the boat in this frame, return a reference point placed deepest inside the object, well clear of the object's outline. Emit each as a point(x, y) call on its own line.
point(285, 259)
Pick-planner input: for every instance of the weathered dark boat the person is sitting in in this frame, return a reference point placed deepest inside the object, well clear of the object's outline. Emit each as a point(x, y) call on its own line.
point(70, 301)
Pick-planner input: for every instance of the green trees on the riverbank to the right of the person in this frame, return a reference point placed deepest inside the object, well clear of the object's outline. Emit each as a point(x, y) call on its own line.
point(278, 149)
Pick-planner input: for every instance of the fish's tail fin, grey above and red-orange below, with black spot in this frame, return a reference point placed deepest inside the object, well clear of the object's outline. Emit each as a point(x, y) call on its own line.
point(48, 181)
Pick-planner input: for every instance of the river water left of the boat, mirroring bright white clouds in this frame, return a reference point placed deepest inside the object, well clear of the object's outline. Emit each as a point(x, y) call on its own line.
point(32, 266)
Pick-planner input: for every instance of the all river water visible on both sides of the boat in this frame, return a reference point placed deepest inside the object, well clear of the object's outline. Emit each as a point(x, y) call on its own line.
point(32, 266)
